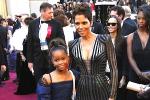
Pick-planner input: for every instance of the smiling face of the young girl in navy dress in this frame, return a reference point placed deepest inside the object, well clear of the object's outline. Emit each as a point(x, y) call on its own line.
point(60, 60)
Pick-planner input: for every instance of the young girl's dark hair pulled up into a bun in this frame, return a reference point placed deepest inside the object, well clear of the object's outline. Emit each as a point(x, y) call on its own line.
point(57, 44)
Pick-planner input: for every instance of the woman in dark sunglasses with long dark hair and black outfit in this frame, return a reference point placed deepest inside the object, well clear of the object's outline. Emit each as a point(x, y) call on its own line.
point(119, 42)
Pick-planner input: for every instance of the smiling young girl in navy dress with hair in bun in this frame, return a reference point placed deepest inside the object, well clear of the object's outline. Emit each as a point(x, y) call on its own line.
point(60, 81)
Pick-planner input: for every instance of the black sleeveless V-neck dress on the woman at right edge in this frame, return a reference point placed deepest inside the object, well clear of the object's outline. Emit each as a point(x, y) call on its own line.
point(142, 58)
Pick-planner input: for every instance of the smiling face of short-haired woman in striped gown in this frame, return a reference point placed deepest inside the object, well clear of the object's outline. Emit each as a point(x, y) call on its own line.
point(82, 25)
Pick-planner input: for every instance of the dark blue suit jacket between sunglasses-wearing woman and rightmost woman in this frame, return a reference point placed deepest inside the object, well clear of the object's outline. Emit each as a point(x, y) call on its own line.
point(129, 26)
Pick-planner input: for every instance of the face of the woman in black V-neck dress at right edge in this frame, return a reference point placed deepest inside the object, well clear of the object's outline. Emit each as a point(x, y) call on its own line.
point(141, 19)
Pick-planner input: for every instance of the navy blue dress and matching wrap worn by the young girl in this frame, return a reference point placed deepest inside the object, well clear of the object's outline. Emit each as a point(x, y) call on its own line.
point(58, 90)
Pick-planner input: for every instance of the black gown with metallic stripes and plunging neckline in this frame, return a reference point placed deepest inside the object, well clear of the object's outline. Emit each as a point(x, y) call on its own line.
point(93, 84)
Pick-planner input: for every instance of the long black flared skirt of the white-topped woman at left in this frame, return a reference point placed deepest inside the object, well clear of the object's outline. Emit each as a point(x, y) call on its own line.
point(26, 81)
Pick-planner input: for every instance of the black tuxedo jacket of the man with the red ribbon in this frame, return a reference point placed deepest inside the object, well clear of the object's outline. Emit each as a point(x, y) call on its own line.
point(33, 42)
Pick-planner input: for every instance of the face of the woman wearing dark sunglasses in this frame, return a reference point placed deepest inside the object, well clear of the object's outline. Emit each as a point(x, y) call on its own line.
point(112, 25)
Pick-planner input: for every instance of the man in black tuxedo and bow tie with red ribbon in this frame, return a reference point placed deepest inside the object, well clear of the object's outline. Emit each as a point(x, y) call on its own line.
point(41, 31)
